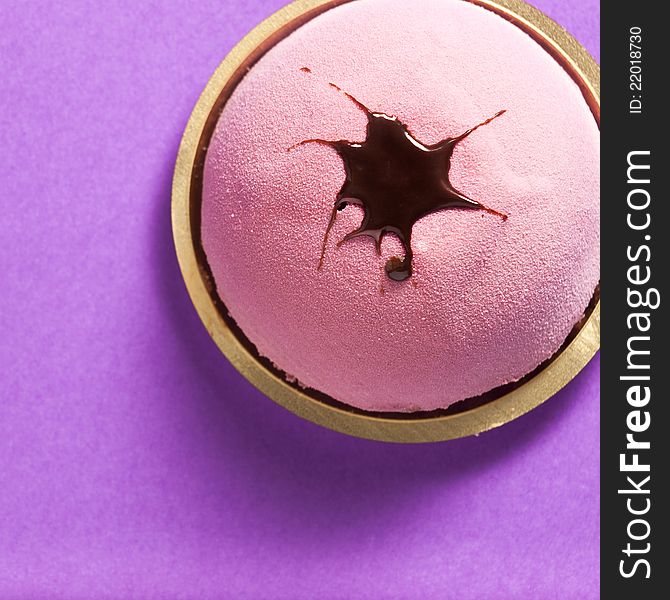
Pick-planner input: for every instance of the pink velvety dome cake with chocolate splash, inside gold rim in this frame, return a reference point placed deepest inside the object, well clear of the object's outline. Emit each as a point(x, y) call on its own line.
point(400, 204)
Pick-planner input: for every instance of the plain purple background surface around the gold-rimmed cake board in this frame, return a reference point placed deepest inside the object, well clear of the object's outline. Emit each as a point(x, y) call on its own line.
point(134, 461)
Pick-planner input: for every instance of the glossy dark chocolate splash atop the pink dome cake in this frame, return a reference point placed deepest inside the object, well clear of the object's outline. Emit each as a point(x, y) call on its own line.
point(396, 179)
